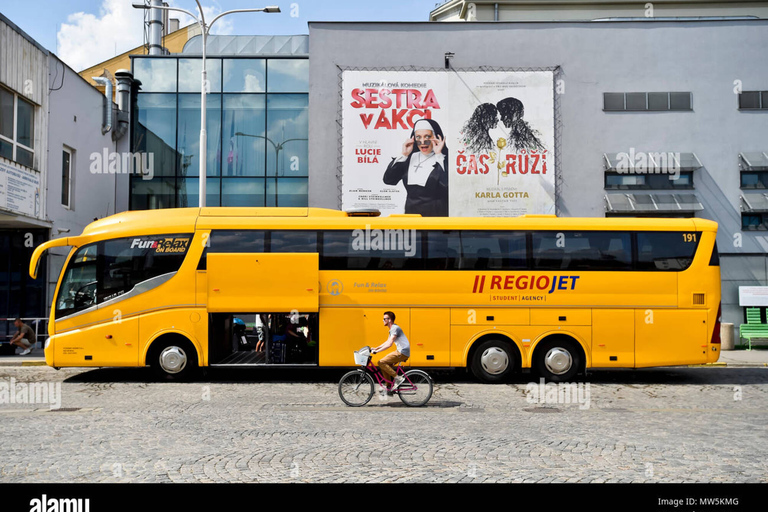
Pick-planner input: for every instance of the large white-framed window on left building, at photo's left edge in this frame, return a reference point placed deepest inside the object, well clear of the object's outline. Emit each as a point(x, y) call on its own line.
point(17, 128)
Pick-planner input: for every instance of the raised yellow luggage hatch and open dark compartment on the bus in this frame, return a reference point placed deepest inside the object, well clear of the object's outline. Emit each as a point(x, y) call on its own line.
point(281, 289)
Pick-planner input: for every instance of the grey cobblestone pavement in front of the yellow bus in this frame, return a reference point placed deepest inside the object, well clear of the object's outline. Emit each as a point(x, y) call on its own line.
point(660, 425)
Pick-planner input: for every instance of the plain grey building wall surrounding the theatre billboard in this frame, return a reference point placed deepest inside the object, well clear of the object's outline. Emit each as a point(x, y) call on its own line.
point(706, 58)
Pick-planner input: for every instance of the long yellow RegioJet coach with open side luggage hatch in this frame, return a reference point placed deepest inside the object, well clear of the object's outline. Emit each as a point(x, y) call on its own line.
point(179, 289)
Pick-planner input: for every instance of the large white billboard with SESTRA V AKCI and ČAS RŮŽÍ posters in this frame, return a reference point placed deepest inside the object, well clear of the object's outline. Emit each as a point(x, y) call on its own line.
point(448, 143)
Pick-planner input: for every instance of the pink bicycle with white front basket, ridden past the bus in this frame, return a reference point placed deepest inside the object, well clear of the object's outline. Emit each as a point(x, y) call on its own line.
point(356, 388)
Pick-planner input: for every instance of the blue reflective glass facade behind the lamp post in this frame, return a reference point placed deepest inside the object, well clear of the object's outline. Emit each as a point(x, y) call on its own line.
point(257, 123)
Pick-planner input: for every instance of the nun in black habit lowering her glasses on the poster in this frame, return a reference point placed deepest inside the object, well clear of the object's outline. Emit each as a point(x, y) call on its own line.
point(423, 168)
